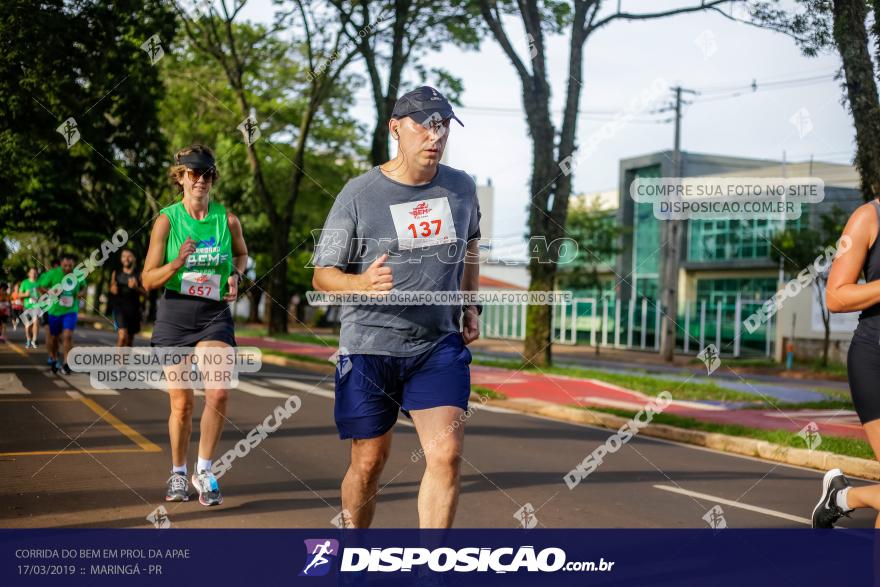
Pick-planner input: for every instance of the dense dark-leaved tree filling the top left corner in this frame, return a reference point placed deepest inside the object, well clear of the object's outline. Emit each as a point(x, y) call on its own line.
point(90, 75)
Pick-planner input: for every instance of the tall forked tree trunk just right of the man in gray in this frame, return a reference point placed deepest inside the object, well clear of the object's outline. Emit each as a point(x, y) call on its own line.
point(553, 152)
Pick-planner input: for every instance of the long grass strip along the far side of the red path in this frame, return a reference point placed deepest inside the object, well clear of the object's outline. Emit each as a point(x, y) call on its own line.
point(642, 383)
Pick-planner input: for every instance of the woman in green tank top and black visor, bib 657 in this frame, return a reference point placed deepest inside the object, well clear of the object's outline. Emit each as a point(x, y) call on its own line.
point(197, 253)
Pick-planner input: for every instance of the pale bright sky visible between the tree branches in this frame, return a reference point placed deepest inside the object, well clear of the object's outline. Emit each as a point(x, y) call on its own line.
point(701, 51)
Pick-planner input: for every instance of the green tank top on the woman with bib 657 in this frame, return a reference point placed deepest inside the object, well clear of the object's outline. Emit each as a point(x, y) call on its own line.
point(207, 270)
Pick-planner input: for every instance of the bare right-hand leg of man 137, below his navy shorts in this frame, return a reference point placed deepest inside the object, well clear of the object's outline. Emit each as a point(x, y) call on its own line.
point(441, 432)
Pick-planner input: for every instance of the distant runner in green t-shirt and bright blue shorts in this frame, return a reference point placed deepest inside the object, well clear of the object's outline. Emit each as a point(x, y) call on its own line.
point(62, 315)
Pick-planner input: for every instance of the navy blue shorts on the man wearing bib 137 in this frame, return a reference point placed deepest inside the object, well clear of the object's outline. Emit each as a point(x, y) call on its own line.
point(371, 389)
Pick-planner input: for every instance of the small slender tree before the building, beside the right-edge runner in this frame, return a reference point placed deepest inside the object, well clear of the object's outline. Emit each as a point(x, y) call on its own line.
point(799, 249)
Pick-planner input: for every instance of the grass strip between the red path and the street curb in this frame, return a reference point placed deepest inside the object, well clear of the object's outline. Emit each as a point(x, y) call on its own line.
point(843, 446)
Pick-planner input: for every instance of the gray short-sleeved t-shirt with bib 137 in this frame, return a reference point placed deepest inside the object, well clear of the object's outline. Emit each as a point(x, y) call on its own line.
point(425, 229)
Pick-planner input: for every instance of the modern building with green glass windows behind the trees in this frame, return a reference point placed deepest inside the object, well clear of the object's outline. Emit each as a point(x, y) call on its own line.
point(720, 261)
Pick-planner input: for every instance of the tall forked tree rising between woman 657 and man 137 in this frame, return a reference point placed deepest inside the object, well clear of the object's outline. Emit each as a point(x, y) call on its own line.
point(316, 59)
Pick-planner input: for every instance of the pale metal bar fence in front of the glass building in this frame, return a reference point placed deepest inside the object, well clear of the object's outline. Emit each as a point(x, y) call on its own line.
point(635, 324)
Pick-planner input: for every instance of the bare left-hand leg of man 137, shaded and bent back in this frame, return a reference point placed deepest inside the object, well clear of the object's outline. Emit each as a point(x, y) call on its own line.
point(361, 481)
